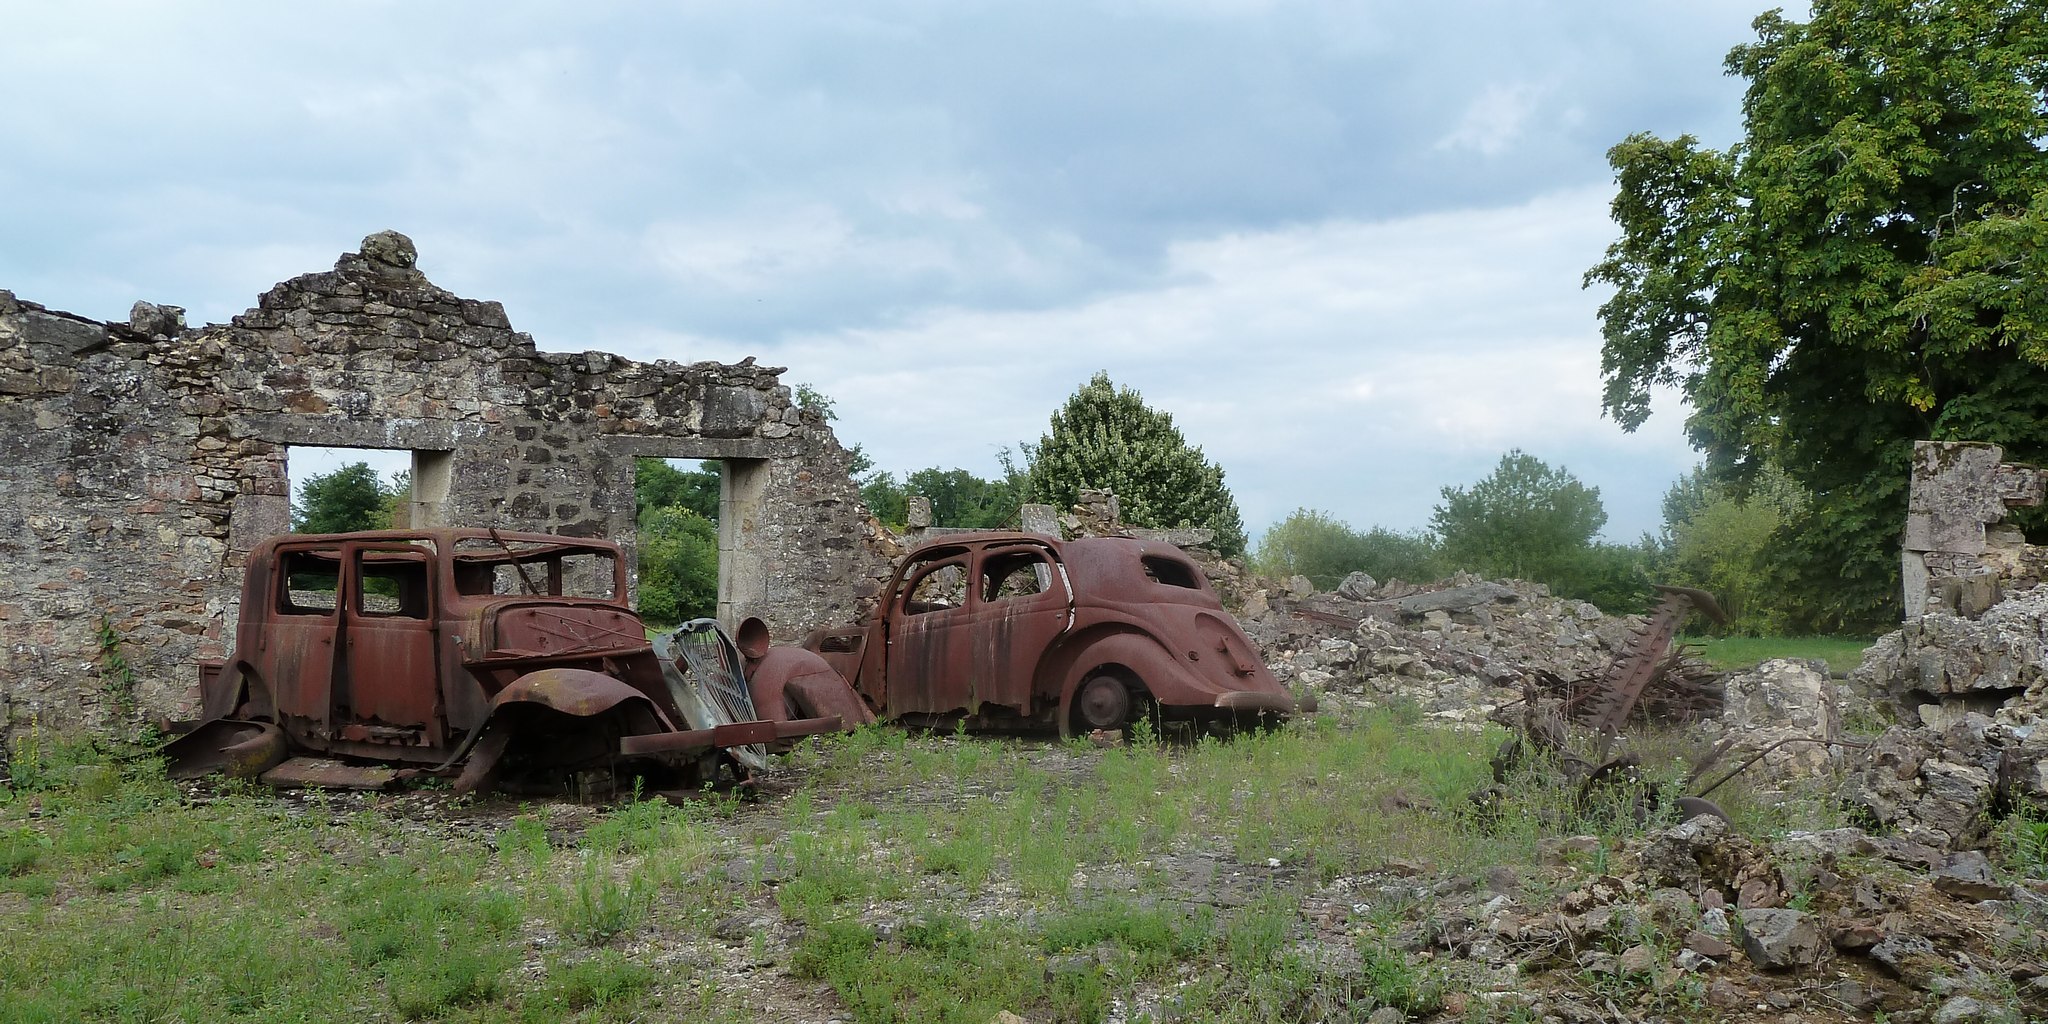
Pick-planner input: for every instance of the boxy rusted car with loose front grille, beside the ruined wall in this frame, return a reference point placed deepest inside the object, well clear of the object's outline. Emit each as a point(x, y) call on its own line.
point(513, 656)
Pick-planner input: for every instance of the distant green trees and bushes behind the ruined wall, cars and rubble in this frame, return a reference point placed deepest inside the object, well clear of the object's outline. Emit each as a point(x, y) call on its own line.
point(1527, 519)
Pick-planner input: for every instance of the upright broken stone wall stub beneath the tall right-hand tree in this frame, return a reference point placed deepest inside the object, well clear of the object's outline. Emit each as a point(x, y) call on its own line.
point(1959, 552)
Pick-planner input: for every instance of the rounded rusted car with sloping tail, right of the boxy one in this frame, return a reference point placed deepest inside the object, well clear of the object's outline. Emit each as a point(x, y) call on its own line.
point(1023, 632)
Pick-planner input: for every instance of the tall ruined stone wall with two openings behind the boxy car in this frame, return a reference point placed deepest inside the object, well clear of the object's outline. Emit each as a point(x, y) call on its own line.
point(140, 464)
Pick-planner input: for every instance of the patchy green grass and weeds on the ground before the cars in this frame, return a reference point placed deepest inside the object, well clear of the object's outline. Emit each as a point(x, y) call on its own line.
point(876, 878)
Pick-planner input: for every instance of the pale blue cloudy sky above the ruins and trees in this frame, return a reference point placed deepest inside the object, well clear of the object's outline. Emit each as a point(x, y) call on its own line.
point(1338, 241)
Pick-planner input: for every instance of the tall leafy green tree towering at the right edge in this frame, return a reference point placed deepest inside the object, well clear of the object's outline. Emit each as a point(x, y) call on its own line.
point(1865, 269)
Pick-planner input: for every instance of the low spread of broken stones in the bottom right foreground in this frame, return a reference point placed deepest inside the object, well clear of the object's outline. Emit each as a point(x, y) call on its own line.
point(1840, 923)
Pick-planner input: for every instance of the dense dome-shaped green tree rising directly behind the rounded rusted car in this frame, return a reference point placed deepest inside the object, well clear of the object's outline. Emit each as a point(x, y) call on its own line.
point(1109, 439)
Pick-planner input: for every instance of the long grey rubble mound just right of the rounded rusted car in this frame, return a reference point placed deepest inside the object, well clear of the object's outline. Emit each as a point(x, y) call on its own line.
point(1457, 648)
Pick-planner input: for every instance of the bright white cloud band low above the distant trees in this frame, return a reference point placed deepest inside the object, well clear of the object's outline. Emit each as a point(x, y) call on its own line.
point(1355, 368)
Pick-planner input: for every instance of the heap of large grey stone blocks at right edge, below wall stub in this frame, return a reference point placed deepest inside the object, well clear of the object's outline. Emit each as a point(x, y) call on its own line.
point(1973, 746)
